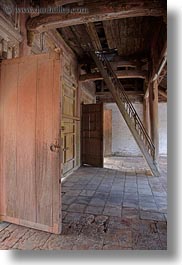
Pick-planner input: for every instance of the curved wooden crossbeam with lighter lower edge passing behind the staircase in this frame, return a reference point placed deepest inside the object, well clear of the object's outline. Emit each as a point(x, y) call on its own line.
point(120, 74)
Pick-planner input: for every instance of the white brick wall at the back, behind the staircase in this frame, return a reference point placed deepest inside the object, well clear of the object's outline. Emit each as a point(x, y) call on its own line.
point(123, 142)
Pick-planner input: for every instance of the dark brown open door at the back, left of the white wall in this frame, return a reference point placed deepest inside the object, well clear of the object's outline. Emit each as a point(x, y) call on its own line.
point(92, 134)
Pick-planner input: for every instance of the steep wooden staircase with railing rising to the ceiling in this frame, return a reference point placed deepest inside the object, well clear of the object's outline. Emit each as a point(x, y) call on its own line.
point(127, 110)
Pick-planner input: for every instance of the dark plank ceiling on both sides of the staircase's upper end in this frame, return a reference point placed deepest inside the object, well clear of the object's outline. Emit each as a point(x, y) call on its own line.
point(130, 37)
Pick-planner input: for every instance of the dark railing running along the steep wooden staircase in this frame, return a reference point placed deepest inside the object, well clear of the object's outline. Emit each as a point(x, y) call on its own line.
point(128, 106)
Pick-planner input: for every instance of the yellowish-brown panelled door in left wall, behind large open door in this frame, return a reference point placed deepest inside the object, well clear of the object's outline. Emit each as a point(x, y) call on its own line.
point(69, 116)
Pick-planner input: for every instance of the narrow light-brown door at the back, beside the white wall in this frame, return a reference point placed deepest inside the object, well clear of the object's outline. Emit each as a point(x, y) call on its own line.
point(107, 132)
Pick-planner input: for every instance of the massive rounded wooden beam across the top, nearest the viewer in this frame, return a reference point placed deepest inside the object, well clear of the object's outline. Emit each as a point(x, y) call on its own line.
point(97, 11)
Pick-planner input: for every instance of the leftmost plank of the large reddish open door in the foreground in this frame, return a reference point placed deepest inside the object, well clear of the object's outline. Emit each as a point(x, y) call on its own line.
point(9, 104)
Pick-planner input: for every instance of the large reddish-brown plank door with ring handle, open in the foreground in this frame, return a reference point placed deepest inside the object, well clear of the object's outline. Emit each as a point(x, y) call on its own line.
point(29, 142)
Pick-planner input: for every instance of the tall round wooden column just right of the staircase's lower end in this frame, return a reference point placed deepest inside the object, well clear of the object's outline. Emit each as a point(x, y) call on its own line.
point(154, 117)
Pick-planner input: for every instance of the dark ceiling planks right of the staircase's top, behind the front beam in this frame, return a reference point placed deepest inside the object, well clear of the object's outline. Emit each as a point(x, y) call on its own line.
point(130, 36)
